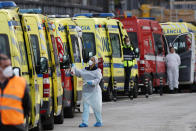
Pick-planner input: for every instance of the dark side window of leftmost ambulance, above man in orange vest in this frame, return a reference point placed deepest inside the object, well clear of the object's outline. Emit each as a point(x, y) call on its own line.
point(4, 45)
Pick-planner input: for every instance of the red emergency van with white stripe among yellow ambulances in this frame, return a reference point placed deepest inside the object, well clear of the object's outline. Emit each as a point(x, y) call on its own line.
point(146, 35)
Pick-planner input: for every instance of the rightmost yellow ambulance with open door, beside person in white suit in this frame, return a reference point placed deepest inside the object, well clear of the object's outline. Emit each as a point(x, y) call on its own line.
point(182, 36)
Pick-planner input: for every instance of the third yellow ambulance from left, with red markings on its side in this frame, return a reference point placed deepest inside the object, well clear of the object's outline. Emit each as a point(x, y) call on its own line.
point(63, 31)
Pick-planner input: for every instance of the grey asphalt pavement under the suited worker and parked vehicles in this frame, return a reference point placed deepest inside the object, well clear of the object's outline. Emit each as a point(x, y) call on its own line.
point(170, 112)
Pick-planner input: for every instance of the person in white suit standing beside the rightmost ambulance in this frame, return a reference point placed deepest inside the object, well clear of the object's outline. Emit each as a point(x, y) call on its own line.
point(173, 62)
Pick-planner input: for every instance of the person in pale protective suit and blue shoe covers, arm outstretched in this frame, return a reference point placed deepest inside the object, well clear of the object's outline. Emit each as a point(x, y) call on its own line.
point(91, 92)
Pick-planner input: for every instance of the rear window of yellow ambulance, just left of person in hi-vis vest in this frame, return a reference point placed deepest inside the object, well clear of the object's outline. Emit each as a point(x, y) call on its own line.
point(115, 42)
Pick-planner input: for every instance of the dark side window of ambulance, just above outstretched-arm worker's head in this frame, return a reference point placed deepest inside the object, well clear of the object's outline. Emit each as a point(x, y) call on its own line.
point(89, 43)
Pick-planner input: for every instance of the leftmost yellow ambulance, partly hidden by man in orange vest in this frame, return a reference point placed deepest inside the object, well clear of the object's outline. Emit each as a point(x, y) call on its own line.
point(12, 44)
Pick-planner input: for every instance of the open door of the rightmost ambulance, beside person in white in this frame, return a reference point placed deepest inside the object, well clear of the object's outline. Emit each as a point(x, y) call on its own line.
point(184, 45)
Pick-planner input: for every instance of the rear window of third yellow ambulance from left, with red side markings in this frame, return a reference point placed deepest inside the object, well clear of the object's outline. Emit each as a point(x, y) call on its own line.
point(76, 48)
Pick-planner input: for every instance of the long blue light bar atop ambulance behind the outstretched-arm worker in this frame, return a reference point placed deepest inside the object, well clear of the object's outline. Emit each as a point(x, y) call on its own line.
point(102, 15)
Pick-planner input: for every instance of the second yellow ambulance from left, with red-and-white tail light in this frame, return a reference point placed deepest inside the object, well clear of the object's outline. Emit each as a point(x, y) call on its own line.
point(47, 67)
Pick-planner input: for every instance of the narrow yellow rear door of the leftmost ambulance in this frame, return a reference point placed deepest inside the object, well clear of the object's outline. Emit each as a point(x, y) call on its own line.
point(34, 88)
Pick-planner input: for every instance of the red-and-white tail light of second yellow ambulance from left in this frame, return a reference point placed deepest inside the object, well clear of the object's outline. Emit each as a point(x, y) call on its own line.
point(46, 85)
